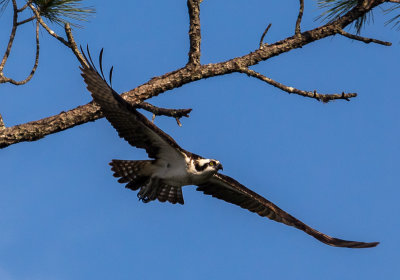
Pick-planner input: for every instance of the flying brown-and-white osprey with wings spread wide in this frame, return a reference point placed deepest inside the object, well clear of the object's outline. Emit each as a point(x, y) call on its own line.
point(172, 167)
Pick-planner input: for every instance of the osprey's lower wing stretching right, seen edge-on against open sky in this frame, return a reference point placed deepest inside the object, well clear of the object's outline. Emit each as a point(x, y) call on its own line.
point(228, 189)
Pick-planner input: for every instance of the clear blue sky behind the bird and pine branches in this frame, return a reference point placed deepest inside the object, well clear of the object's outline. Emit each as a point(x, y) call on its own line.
point(334, 166)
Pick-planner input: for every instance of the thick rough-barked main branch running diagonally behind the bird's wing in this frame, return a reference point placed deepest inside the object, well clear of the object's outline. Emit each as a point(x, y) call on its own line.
point(38, 129)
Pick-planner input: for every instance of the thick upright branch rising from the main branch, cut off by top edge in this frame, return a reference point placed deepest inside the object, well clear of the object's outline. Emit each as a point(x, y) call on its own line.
point(194, 32)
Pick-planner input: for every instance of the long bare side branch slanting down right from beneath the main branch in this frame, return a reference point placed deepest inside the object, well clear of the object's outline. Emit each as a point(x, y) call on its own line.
point(311, 94)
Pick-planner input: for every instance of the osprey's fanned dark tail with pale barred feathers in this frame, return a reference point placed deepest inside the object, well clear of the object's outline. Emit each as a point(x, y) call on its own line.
point(137, 173)
